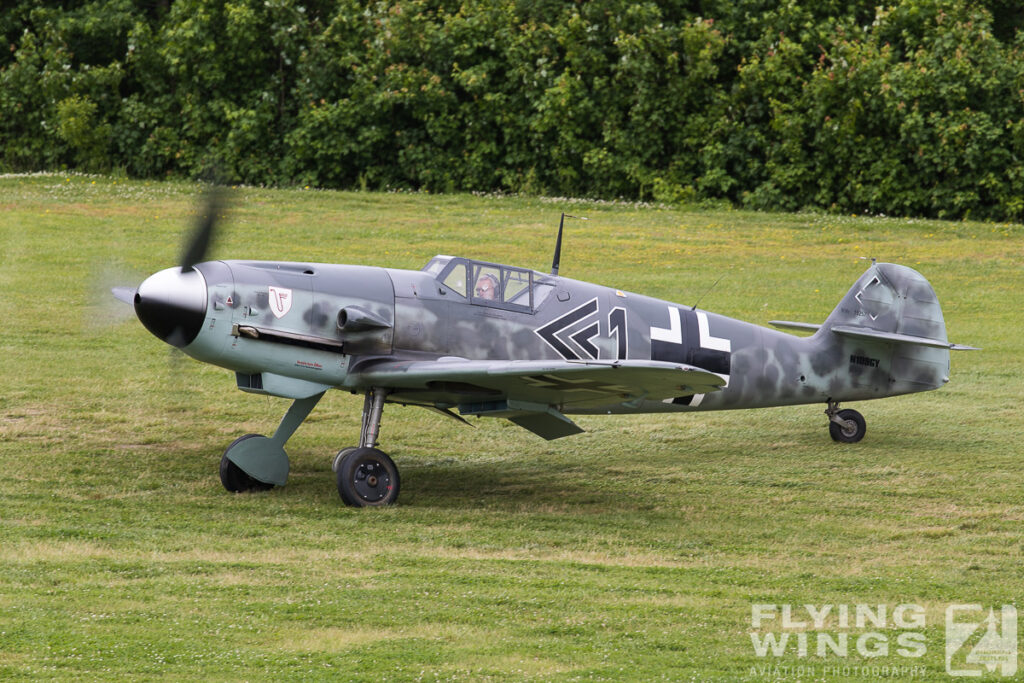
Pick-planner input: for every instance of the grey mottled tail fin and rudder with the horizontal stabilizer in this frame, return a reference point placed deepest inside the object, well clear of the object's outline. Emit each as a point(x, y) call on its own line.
point(891, 317)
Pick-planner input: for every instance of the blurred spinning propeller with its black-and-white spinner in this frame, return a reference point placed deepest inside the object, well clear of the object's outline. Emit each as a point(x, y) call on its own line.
point(172, 304)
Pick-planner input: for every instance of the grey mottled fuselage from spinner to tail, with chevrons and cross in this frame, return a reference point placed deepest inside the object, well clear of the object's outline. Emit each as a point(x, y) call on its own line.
point(281, 325)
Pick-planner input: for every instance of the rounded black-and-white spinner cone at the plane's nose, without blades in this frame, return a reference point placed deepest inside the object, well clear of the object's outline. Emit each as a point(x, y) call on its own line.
point(173, 305)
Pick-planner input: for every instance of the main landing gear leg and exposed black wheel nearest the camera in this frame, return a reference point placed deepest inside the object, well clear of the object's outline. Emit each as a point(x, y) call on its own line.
point(367, 477)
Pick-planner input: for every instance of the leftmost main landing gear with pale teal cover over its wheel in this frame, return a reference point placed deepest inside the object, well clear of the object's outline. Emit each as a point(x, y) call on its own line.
point(259, 463)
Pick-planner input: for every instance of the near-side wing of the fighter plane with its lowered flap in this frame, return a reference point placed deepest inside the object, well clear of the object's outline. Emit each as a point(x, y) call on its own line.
point(532, 394)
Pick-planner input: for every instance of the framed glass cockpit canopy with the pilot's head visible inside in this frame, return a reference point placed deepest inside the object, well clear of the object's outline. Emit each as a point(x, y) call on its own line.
point(492, 285)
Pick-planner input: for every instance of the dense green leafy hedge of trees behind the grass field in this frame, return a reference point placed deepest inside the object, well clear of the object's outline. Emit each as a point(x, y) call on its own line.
point(913, 109)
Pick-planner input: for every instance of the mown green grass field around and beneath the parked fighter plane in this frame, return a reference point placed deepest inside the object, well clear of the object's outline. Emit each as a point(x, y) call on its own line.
point(636, 551)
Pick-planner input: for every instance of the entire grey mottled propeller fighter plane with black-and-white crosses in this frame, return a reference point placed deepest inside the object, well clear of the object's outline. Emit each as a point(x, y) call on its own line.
point(465, 337)
